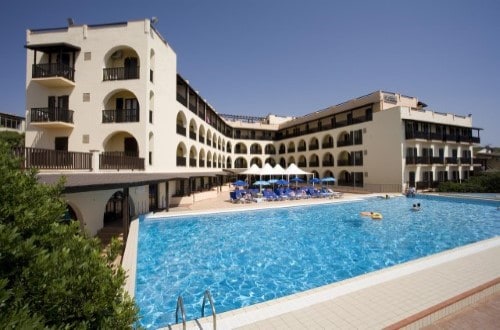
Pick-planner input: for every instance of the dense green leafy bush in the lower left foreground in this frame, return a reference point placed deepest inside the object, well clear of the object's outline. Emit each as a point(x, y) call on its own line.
point(51, 274)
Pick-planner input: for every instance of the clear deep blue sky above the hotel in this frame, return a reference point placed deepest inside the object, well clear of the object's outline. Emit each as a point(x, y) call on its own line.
point(290, 57)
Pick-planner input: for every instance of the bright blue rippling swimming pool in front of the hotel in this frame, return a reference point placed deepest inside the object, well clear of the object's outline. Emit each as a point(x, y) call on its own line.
point(249, 257)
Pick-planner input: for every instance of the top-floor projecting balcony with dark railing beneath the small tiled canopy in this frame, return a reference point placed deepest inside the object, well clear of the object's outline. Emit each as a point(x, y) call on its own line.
point(54, 74)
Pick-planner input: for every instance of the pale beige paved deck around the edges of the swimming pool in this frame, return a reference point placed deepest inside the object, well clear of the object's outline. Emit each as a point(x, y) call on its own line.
point(411, 295)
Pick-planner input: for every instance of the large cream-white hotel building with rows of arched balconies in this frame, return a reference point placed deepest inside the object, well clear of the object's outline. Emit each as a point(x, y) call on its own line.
point(107, 109)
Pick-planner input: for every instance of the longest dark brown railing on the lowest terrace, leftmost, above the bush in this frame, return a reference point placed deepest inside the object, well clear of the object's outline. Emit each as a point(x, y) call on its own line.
point(54, 159)
